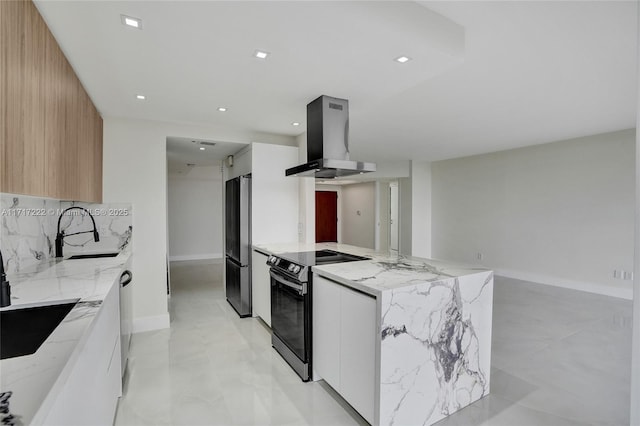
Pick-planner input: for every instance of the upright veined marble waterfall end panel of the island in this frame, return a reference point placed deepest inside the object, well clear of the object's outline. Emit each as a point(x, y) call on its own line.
point(435, 348)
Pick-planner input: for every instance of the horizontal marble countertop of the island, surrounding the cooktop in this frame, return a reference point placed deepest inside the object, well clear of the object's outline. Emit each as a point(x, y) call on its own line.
point(383, 272)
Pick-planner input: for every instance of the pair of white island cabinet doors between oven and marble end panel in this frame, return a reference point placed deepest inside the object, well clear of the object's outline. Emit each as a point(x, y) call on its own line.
point(344, 340)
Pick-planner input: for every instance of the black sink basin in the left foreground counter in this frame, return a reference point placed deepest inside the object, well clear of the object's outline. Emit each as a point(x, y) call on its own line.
point(24, 330)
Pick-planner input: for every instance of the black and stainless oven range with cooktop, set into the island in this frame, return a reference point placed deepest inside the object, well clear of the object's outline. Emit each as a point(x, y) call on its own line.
point(291, 316)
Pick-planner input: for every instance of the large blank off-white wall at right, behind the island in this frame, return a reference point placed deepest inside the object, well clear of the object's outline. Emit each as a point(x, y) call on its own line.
point(559, 213)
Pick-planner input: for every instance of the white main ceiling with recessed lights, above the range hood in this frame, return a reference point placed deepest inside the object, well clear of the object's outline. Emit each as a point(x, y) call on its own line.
point(528, 72)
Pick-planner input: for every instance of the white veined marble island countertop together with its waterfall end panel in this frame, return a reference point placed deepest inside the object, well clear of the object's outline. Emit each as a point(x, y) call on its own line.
point(434, 336)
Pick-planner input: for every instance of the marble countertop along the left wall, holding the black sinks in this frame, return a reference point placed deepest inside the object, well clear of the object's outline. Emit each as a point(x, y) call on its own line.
point(36, 379)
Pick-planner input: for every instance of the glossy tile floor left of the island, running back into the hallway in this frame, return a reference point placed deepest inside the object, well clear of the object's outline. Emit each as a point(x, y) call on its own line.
point(214, 368)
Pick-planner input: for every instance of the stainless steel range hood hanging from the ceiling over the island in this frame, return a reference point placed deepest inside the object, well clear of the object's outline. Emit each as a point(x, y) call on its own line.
point(328, 142)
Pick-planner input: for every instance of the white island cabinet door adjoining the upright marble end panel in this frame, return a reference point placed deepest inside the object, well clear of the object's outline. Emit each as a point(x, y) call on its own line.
point(357, 350)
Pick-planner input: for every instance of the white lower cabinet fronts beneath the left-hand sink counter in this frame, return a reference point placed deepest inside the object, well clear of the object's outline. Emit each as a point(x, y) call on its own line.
point(90, 395)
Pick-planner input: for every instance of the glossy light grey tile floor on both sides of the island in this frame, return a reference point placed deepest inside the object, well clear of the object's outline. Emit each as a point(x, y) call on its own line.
point(560, 357)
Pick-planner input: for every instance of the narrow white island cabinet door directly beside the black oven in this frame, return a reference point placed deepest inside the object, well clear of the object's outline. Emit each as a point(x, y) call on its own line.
point(326, 330)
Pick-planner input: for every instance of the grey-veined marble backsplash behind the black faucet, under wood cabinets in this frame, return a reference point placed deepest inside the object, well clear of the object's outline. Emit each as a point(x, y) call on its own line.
point(29, 227)
